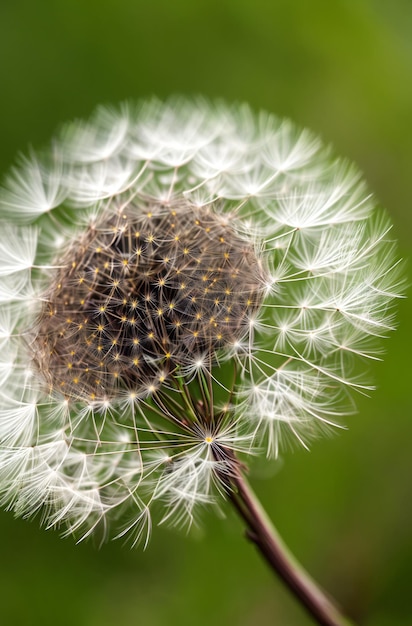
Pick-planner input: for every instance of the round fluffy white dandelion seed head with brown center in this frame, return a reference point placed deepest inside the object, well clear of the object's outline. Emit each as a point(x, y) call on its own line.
point(182, 285)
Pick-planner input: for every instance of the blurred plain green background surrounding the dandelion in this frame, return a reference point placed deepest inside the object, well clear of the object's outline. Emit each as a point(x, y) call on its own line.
point(343, 68)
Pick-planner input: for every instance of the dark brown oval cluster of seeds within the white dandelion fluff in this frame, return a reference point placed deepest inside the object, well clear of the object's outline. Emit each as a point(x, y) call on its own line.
point(146, 290)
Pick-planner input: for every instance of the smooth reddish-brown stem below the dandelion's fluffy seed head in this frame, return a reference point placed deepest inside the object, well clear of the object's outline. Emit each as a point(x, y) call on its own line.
point(262, 533)
